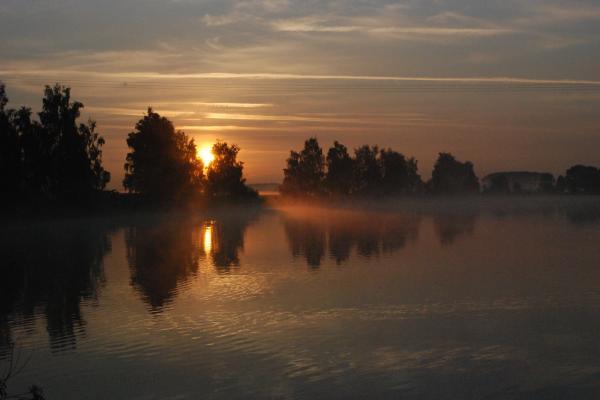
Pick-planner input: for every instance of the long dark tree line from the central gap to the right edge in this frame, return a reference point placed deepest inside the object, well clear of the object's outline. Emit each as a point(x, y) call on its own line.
point(374, 171)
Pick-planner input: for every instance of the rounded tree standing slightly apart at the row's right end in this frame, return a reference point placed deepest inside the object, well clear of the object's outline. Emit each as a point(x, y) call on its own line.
point(453, 177)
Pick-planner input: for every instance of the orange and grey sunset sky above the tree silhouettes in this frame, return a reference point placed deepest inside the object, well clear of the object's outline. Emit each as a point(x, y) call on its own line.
point(505, 84)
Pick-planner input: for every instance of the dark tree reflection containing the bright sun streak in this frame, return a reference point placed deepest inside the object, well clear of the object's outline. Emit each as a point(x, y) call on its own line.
point(164, 253)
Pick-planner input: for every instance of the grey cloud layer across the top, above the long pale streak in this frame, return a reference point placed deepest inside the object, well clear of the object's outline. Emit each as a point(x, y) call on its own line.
point(317, 37)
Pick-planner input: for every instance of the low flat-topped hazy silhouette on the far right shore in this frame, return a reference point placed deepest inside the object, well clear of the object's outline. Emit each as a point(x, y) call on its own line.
point(517, 182)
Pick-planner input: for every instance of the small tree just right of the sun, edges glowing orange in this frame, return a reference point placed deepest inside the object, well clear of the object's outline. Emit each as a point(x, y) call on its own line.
point(225, 173)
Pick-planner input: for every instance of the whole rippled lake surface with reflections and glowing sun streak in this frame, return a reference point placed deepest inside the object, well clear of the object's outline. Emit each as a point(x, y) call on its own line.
point(469, 301)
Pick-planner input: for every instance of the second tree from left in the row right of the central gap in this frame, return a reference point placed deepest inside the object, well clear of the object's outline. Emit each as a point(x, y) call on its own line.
point(339, 170)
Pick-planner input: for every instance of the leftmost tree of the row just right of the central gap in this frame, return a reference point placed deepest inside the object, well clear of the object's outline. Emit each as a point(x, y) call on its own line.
point(305, 170)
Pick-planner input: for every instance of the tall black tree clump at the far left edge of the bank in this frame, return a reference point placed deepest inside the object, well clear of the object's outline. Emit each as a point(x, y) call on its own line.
point(55, 158)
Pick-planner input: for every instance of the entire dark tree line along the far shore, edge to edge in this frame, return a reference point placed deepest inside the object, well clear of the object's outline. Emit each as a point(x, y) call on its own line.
point(57, 160)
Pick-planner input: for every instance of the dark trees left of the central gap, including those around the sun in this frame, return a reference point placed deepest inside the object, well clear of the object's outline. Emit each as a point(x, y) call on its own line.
point(56, 160)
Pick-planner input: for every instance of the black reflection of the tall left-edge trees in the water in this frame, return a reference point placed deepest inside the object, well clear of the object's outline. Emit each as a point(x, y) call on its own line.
point(49, 269)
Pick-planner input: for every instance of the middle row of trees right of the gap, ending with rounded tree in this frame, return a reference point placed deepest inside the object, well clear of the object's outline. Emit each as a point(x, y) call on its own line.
point(370, 171)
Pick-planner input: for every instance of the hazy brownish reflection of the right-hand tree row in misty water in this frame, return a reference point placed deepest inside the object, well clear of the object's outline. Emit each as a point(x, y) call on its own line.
point(314, 232)
